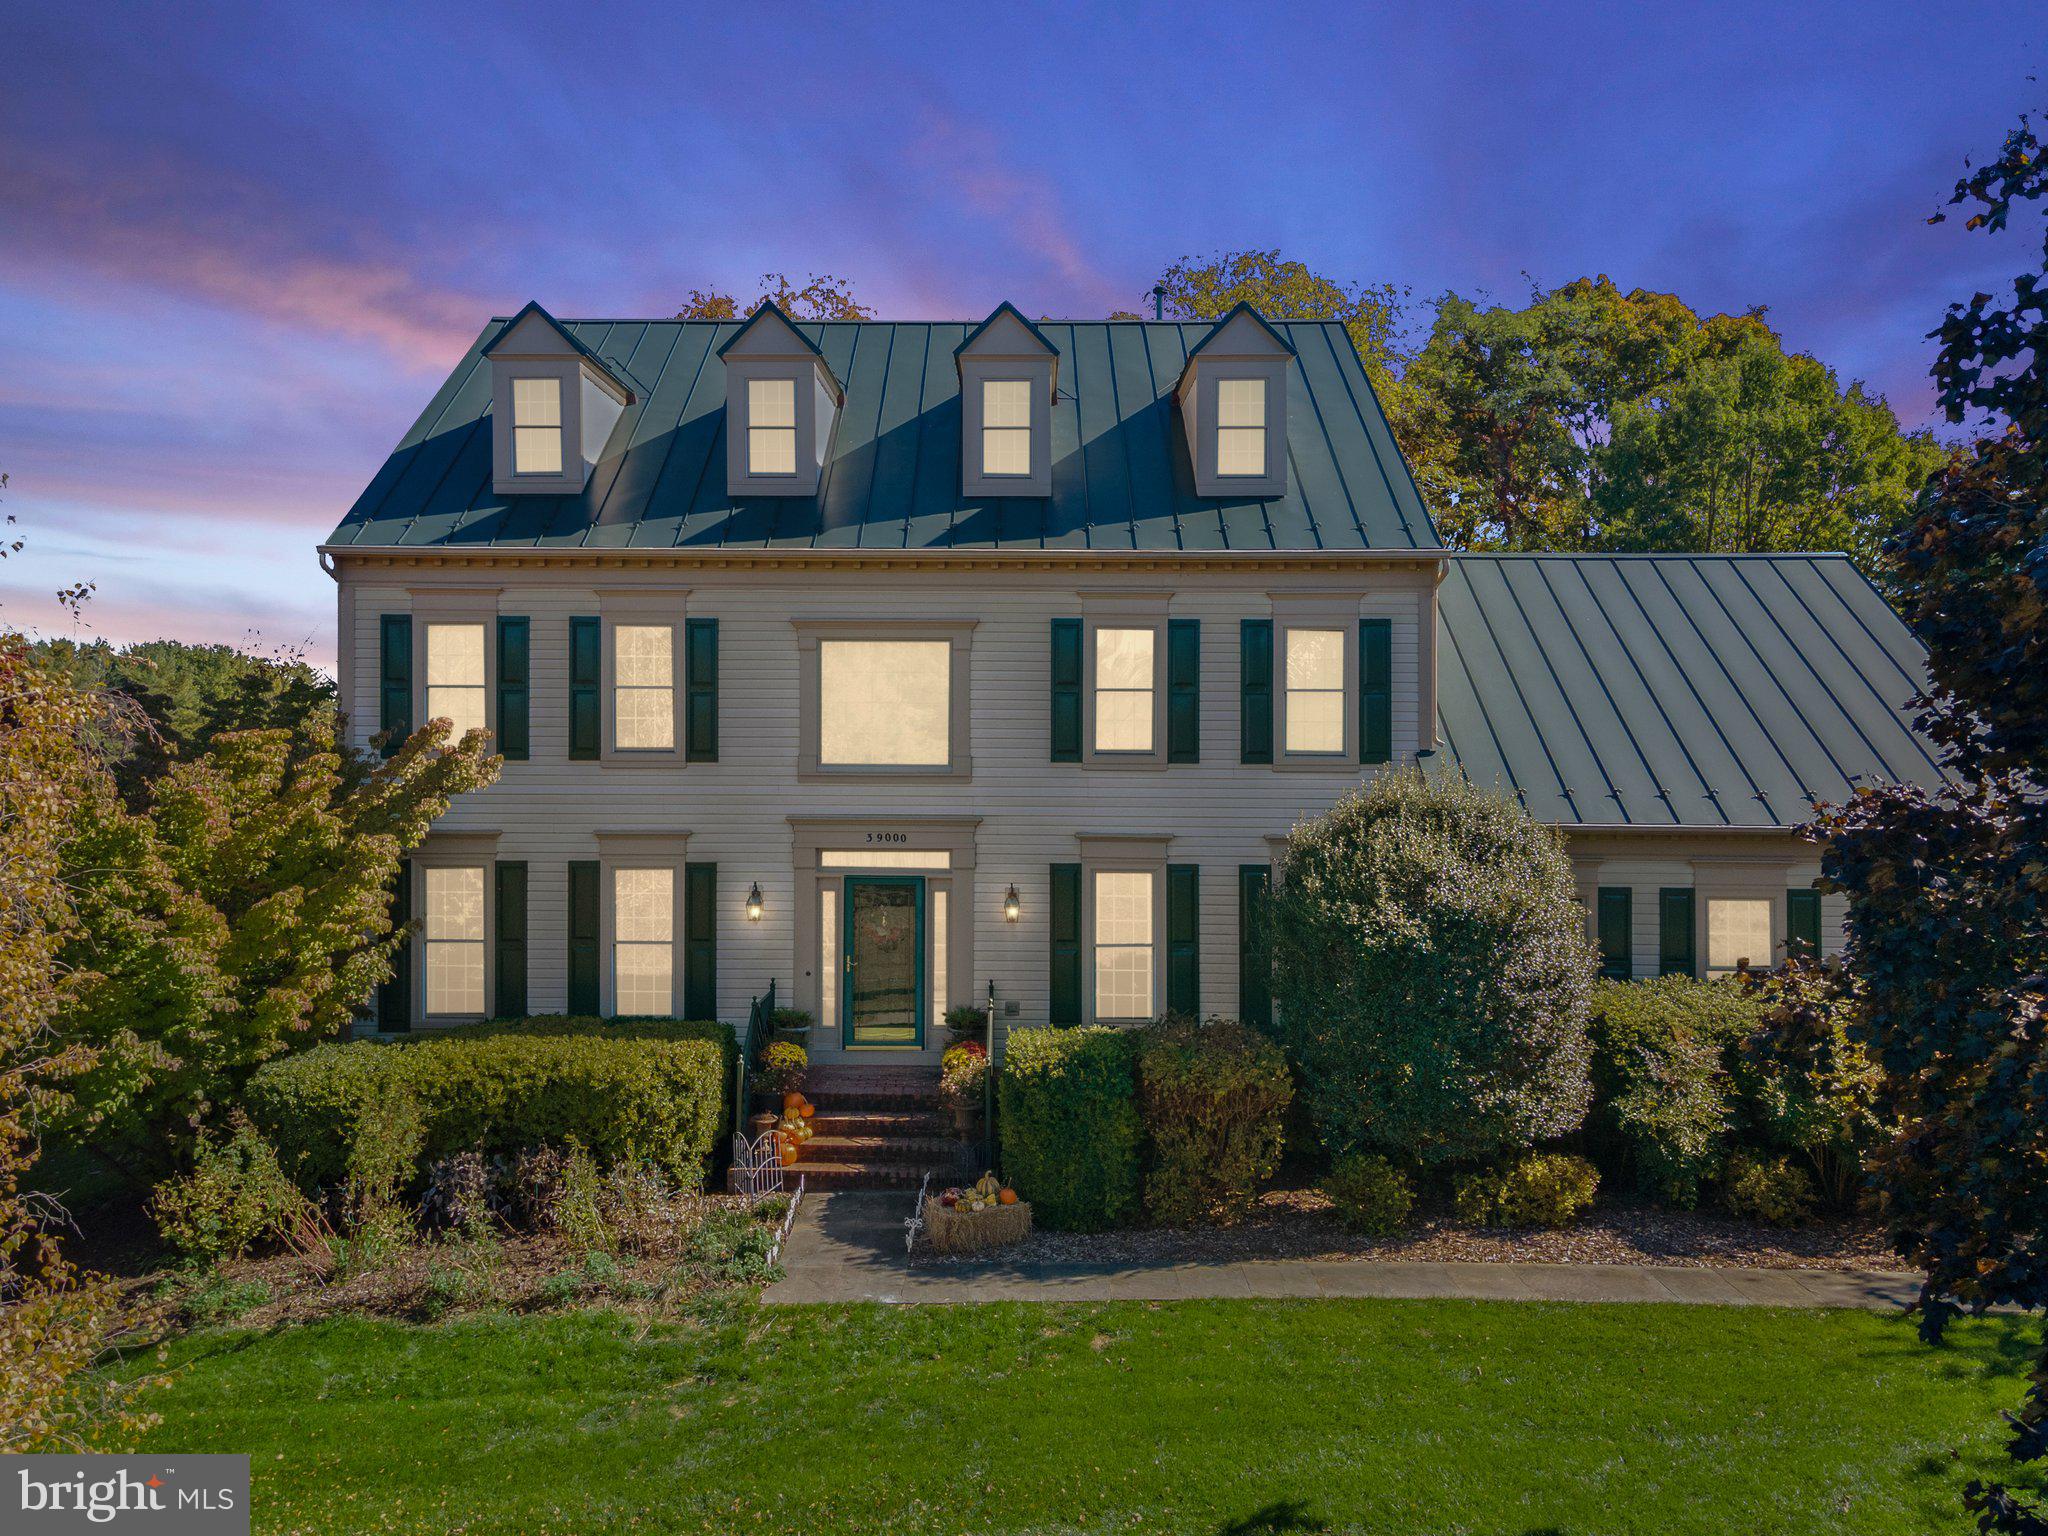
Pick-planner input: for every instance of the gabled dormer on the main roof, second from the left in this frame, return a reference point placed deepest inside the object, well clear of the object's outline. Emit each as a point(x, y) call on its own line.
point(781, 404)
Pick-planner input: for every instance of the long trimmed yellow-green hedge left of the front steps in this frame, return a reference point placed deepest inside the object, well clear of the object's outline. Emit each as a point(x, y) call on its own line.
point(624, 1089)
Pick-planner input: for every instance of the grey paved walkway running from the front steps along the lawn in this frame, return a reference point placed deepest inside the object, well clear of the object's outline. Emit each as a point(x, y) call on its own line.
point(849, 1246)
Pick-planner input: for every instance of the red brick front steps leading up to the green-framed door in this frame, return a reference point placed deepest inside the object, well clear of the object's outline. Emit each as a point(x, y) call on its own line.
point(878, 1129)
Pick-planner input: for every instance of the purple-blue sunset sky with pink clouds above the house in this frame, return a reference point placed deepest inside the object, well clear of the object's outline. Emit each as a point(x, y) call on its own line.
point(241, 247)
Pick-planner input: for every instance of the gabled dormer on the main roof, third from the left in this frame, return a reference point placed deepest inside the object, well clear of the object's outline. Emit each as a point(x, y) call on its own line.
point(1009, 376)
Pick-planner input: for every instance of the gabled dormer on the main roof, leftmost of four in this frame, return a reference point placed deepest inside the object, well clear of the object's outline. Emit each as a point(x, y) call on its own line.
point(554, 407)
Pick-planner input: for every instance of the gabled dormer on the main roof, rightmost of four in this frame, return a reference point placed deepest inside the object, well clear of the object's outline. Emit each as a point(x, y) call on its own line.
point(1234, 407)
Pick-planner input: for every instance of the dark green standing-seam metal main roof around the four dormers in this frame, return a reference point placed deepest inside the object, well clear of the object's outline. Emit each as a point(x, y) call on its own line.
point(1121, 476)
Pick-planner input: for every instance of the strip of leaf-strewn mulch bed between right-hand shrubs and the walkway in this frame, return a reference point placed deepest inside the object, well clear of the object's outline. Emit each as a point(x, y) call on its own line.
point(1304, 1226)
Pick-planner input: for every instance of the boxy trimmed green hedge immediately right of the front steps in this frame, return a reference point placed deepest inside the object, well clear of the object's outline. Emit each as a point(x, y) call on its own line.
point(1070, 1125)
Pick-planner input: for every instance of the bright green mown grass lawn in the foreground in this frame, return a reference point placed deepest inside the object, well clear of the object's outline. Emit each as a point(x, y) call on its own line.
point(1377, 1416)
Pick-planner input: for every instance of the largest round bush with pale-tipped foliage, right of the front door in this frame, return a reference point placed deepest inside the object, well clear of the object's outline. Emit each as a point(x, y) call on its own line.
point(1433, 974)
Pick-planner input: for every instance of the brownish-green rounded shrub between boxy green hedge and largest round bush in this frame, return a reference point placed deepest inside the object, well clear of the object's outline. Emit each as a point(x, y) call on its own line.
point(1215, 1101)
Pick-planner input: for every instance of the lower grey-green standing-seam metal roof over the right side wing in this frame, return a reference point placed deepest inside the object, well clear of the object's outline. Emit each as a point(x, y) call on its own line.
point(1654, 691)
